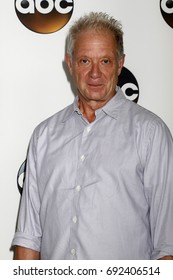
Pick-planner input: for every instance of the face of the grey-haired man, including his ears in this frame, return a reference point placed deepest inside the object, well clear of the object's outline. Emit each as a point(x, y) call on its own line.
point(95, 66)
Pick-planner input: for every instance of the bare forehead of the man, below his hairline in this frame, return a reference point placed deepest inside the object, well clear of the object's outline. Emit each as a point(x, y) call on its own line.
point(91, 40)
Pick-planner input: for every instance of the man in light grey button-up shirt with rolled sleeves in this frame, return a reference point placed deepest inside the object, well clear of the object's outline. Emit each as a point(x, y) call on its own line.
point(99, 181)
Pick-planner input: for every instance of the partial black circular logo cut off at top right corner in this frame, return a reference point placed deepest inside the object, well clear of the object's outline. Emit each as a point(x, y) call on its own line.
point(166, 7)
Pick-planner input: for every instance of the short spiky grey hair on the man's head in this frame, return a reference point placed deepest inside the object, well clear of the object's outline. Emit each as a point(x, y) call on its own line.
point(97, 21)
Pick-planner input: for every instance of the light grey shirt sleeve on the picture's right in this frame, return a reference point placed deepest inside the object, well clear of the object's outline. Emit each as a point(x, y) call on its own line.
point(158, 184)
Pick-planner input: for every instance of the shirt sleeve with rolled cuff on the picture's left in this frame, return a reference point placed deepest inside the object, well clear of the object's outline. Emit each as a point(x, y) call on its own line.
point(28, 233)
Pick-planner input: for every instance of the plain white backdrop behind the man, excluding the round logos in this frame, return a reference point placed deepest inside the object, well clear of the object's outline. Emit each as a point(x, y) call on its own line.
point(33, 84)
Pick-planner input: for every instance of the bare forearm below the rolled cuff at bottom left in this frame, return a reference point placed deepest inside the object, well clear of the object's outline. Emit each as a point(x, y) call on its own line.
point(22, 253)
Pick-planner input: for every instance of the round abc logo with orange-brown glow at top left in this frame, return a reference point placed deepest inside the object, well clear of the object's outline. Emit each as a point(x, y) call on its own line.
point(44, 16)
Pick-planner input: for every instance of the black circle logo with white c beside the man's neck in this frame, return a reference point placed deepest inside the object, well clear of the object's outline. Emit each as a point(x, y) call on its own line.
point(129, 85)
